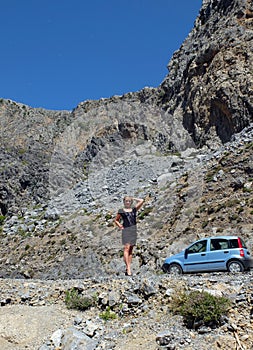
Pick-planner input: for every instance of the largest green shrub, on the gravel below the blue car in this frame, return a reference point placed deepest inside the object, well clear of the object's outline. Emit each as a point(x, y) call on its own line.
point(199, 308)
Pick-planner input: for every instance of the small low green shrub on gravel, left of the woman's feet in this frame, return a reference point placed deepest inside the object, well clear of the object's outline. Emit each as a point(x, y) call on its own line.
point(75, 300)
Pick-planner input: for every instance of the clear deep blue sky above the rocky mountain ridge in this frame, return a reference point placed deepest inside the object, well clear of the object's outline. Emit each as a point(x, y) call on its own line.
point(58, 53)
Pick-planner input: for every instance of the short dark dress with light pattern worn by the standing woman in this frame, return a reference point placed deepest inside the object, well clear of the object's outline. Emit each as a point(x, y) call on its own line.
point(129, 233)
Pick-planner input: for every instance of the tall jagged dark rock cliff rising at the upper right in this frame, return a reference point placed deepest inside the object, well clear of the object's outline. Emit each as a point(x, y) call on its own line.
point(210, 81)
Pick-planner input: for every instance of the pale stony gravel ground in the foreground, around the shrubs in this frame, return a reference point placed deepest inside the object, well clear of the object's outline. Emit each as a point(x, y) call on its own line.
point(33, 310)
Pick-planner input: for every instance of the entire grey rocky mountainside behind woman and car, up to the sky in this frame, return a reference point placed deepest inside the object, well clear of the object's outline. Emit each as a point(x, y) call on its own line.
point(63, 174)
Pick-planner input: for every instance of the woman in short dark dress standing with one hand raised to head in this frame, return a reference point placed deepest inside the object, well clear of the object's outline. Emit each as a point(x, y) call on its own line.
point(128, 227)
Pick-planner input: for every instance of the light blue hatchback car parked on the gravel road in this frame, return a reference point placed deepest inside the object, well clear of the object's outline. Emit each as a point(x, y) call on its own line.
point(224, 253)
